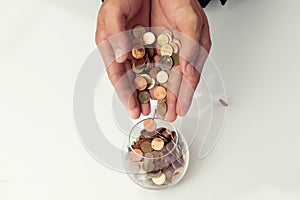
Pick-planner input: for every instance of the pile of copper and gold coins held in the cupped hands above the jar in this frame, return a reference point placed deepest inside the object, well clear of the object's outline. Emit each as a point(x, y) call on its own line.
point(154, 57)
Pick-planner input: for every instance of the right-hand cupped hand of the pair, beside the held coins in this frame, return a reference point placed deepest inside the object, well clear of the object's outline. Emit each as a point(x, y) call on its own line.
point(188, 18)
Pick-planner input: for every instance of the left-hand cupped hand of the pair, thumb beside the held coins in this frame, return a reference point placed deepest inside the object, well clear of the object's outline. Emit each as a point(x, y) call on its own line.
point(115, 17)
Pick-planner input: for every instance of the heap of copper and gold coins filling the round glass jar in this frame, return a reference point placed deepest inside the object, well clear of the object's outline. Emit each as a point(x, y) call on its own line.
point(157, 158)
